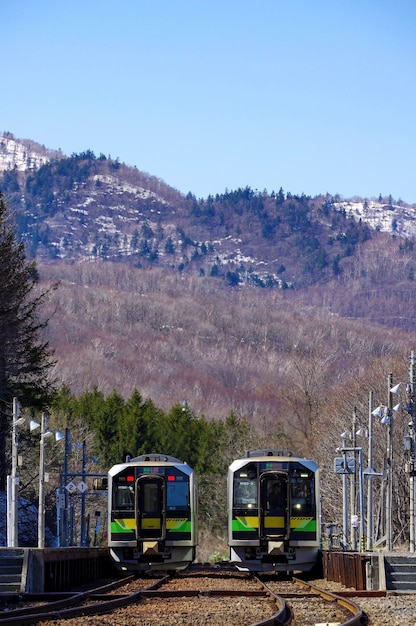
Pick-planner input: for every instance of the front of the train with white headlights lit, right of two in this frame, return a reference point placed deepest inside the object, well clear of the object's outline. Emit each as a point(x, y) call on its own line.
point(273, 513)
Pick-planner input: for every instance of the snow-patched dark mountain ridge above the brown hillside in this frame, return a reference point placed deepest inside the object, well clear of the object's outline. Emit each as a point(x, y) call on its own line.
point(91, 208)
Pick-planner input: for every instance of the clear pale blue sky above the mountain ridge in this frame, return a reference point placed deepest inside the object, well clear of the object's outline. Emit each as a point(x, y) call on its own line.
point(311, 96)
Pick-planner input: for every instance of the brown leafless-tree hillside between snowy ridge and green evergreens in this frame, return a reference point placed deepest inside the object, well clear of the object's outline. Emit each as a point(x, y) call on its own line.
point(265, 354)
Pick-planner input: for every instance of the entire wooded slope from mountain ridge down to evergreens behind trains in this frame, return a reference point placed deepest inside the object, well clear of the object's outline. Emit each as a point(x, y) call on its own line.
point(166, 334)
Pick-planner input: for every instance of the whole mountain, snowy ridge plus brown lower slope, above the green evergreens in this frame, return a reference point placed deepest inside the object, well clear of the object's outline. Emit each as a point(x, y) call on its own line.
point(232, 302)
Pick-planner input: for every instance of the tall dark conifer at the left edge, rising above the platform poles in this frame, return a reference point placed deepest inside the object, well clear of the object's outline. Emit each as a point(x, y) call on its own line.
point(25, 359)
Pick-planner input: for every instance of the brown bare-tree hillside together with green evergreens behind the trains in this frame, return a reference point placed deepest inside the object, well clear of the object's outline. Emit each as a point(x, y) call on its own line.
point(148, 361)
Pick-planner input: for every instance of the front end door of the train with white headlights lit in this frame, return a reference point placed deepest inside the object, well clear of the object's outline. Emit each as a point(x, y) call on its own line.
point(273, 505)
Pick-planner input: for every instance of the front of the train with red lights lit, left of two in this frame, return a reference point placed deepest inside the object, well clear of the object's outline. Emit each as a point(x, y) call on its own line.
point(152, 521)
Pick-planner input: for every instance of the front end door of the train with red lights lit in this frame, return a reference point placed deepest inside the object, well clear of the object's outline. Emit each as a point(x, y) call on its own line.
point(150, 507)
